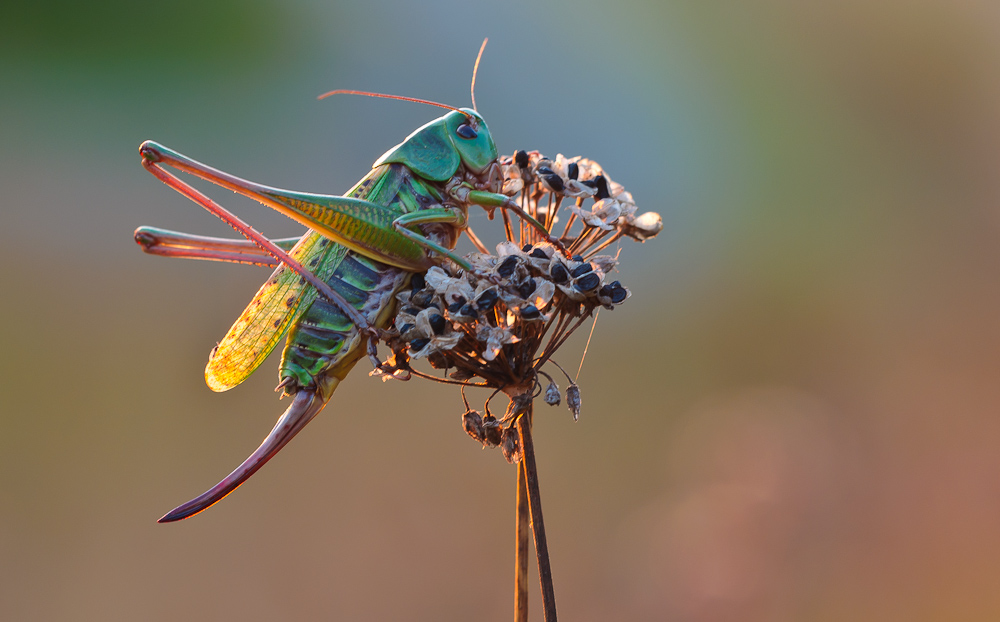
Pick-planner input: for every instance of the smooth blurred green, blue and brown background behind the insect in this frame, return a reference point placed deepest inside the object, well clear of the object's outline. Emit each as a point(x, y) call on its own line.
point(795, 417)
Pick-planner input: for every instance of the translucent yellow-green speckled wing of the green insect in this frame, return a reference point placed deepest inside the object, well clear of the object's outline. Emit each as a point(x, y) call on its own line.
point(278, 303)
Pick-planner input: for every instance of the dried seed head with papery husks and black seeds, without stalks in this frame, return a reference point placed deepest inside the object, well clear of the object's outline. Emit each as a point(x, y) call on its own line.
point(497, 325)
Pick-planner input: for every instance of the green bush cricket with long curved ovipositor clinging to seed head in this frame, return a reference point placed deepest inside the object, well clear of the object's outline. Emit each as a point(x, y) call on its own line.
point(333, 291)
